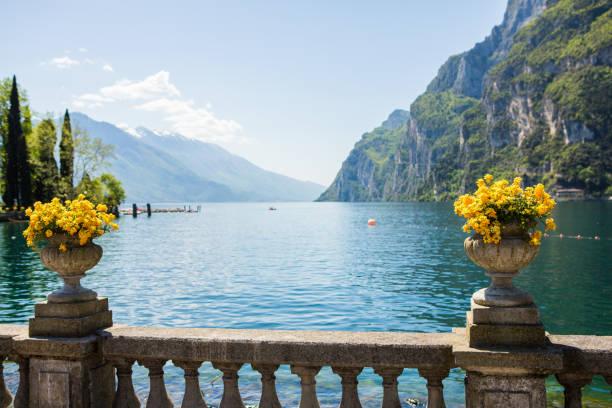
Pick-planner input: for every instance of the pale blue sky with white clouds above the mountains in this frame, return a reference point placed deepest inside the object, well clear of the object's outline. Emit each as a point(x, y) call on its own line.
point(289, 85)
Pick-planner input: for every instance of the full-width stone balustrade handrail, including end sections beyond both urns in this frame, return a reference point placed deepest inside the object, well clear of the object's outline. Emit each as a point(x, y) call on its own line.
point(406, 349)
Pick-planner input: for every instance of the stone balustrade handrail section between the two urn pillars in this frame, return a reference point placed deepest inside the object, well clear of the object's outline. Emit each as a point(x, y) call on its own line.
point(369, 349)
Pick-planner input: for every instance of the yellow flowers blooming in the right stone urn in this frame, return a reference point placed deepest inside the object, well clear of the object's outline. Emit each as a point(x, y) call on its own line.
point(499, 203)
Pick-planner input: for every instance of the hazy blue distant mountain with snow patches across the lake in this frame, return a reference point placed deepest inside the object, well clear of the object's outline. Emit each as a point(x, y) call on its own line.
point(167, 167)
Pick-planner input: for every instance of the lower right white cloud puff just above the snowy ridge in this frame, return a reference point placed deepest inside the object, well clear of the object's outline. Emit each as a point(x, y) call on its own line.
point(193, 122)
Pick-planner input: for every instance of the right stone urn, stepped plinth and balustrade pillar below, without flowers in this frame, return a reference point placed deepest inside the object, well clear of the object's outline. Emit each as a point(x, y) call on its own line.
point(506, 356)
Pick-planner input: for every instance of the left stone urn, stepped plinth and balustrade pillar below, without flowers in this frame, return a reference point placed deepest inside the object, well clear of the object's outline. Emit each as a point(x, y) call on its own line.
point(74, 374)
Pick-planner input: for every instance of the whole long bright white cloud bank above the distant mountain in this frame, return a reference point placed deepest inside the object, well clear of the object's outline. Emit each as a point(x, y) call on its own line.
point(159, 95)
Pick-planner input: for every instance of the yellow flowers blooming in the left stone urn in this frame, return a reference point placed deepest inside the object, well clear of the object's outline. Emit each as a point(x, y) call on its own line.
point(79, 219)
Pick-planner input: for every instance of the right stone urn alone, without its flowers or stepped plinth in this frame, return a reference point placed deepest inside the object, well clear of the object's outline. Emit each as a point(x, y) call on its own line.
point(502, 262)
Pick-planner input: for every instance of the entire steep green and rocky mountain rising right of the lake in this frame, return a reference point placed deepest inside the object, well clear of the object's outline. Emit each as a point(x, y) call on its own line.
point(533, 99)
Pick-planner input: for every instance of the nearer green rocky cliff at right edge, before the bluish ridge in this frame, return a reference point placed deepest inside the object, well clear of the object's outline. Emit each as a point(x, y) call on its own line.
point(549, 100)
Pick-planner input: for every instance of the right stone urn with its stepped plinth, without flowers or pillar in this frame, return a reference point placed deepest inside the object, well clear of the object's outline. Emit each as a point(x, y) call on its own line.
point(503, 315)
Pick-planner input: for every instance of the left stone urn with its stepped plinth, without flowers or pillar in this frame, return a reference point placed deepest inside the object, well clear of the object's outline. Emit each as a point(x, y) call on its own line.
point(72, 311)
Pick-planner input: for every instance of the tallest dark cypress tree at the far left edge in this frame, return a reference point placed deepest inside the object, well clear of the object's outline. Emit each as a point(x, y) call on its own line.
point(14, 132)
